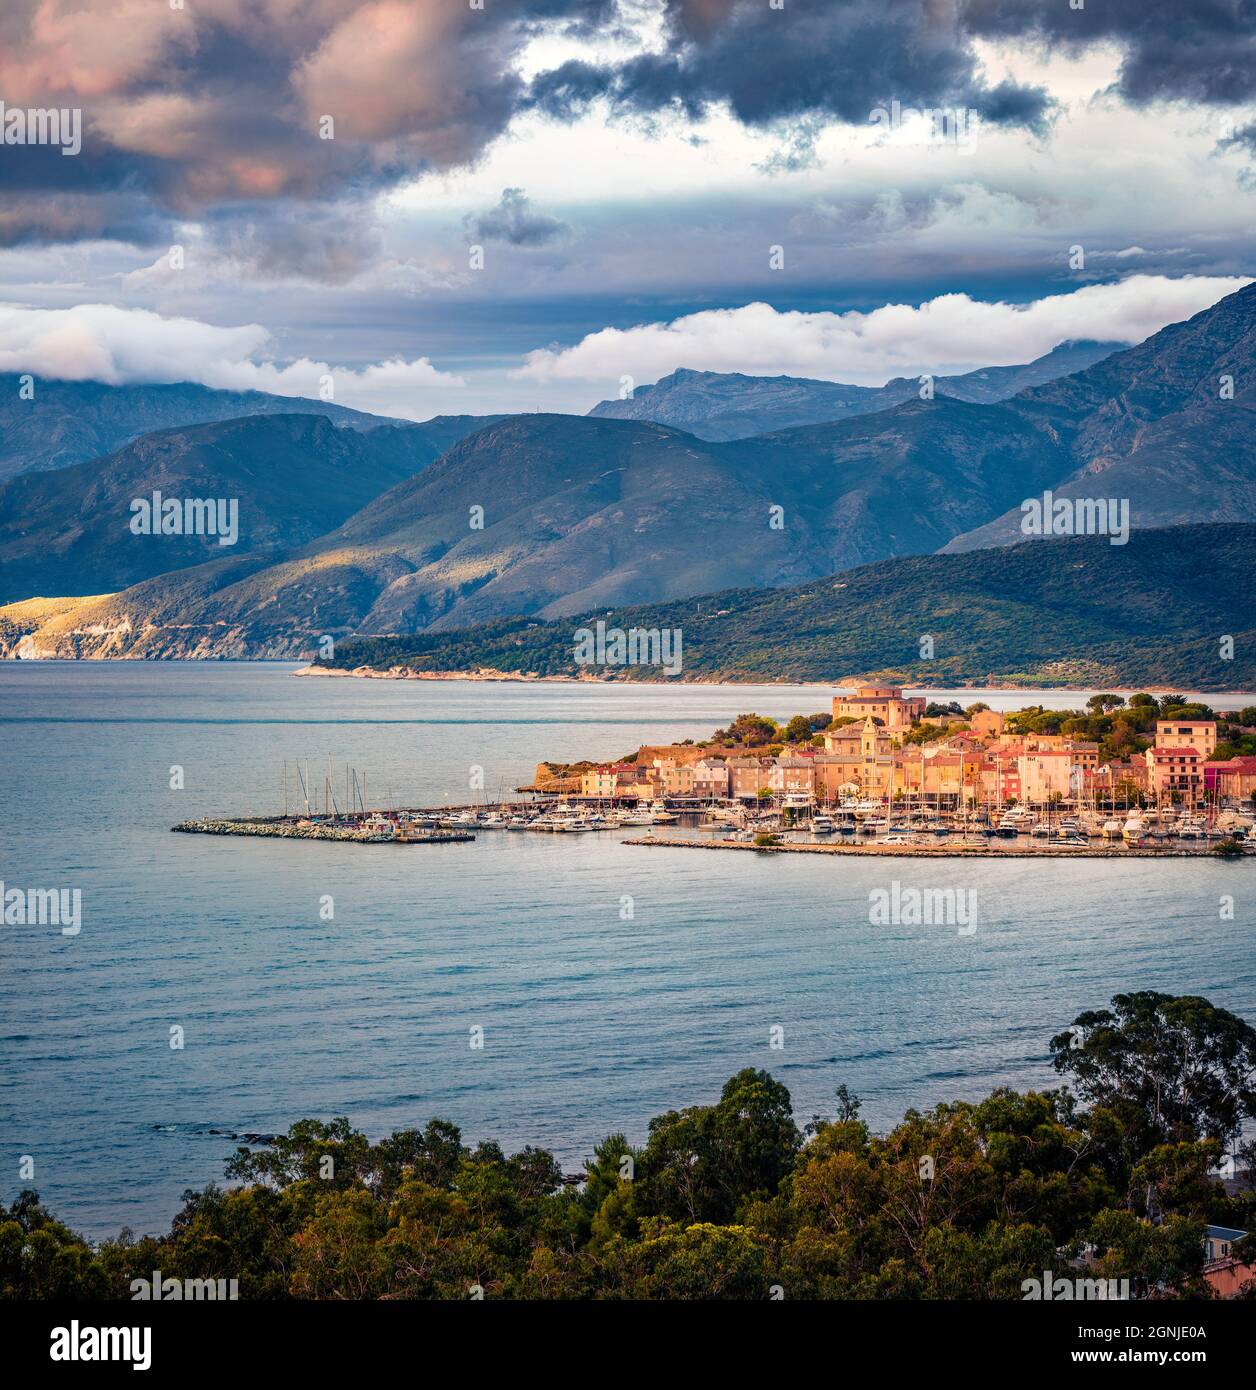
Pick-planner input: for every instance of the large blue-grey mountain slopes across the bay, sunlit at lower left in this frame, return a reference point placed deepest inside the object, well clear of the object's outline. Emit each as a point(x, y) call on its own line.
point(547, 516)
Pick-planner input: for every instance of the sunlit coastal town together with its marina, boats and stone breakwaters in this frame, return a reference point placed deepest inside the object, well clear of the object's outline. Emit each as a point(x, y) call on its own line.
point(882, 772)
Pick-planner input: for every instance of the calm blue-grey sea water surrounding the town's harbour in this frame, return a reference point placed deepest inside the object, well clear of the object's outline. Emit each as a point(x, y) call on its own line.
point(593, 1022)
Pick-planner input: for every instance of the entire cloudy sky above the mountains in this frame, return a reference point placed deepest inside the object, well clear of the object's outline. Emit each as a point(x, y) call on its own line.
point(472, 206)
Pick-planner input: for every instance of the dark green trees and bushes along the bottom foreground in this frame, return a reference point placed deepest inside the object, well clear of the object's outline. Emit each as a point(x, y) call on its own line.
point(733, 1199)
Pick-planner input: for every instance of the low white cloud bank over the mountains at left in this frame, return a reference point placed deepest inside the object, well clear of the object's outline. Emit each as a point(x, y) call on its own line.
point(123, 347)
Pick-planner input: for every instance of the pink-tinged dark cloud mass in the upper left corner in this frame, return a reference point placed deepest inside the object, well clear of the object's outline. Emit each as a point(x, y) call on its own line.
point(222, 102)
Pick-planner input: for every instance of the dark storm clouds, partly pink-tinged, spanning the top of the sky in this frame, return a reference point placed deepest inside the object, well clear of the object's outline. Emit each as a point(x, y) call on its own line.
point(219, 106)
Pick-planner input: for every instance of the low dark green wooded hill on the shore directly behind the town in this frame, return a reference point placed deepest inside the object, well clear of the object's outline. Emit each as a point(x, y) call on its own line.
point(1075, 611)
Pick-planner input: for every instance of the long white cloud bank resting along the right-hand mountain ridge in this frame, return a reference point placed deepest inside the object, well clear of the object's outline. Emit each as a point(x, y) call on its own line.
point(952, 333)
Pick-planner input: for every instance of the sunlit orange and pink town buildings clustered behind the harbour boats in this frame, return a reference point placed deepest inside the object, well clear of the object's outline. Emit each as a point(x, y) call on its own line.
point(880, 749)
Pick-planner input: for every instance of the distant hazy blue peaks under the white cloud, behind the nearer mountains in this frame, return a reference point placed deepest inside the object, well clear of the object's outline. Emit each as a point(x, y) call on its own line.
point(720, 407)
